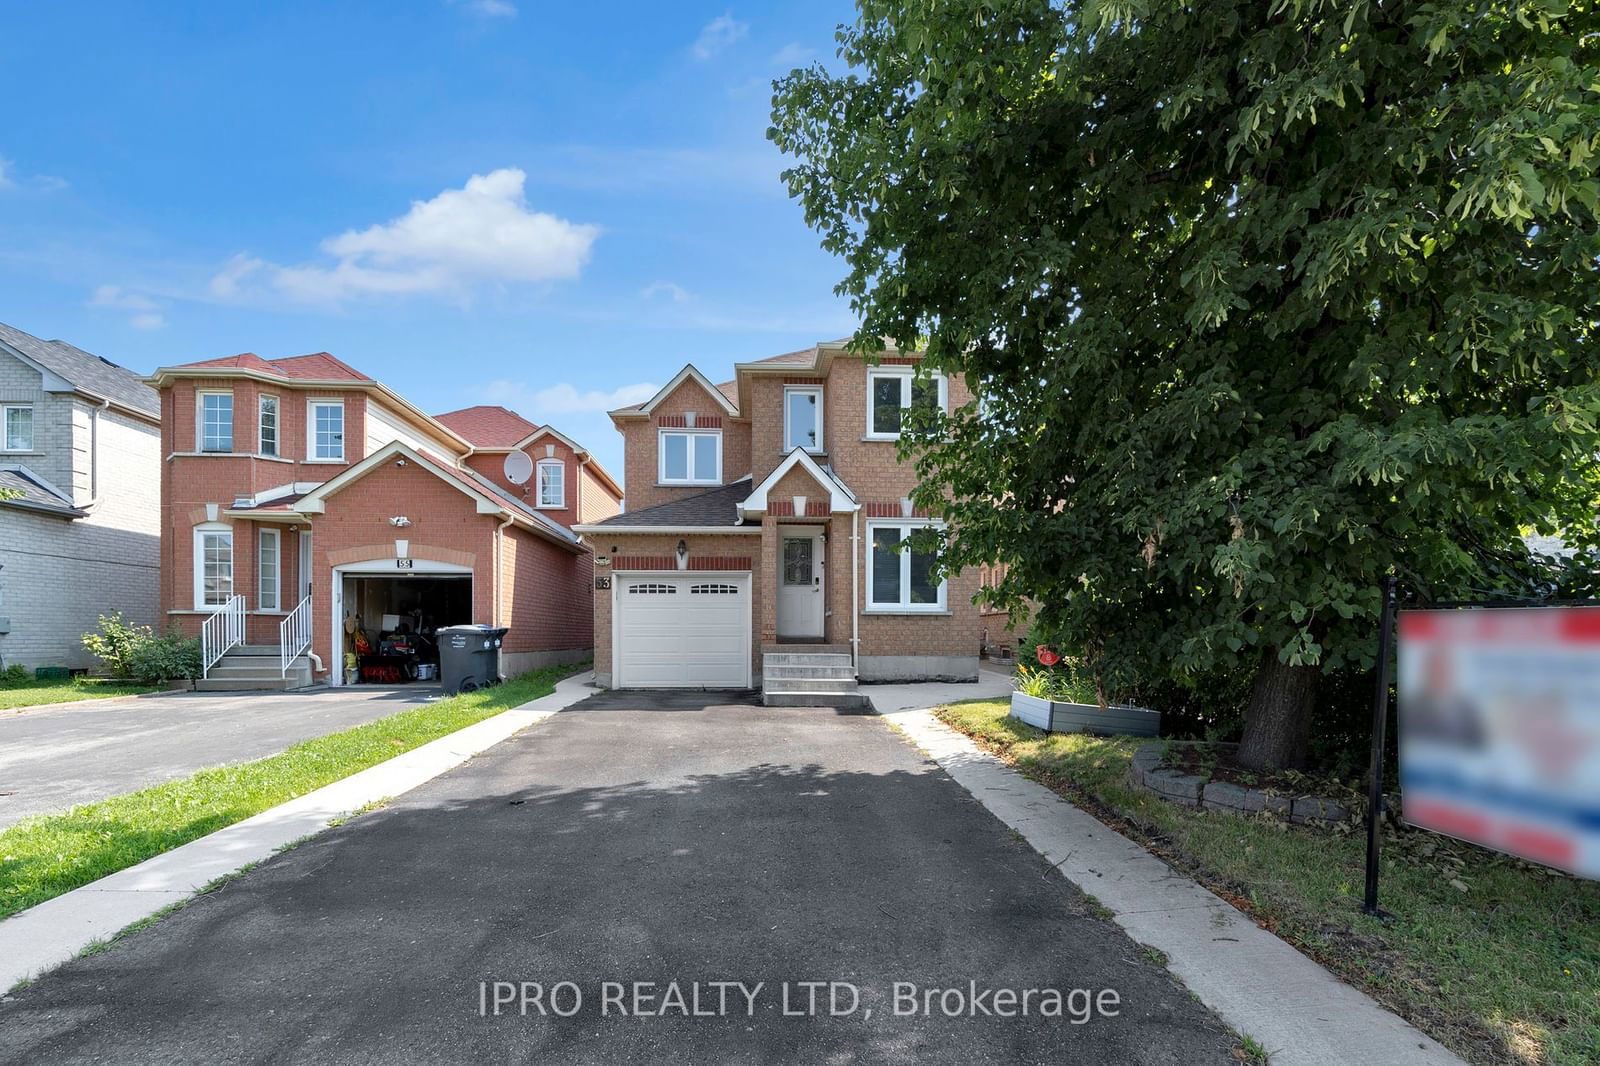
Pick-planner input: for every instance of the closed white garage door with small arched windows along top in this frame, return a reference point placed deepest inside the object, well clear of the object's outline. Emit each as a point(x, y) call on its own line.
point(684, 633)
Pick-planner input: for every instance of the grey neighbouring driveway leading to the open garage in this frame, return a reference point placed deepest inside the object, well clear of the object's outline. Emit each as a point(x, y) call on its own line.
point(58, 758)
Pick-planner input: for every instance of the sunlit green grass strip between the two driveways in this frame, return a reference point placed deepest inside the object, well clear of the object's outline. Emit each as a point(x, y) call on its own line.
point(54, 854)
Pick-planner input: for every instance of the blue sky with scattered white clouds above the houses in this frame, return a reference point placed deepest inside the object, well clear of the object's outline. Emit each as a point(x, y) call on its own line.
point(546, 206)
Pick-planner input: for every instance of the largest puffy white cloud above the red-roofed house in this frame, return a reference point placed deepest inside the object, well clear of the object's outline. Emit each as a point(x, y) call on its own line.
point(482, 233)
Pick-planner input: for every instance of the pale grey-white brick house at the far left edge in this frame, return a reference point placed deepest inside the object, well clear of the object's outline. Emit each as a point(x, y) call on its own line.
point(81, 451)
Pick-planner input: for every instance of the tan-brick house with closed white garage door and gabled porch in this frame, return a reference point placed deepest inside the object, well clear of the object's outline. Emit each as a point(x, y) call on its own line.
point(761, 534)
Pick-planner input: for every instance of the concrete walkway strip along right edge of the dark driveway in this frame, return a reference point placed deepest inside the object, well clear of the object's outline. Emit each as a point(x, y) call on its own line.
point(1255, 982)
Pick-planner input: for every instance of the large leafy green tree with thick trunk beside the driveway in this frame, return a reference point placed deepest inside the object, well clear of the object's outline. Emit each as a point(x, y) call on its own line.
point(1263, 300)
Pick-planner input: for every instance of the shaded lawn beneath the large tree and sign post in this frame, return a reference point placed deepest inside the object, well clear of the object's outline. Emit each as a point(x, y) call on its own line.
point(1495, 958)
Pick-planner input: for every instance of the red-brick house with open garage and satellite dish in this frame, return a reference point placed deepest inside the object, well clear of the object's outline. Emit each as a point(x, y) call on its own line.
point(311, 500)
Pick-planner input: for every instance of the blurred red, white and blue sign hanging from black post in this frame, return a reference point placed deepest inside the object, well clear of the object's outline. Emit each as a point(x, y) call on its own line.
point(1500, 729)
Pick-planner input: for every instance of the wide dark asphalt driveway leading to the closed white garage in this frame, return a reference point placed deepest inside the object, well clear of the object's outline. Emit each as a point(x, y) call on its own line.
point(636, 840)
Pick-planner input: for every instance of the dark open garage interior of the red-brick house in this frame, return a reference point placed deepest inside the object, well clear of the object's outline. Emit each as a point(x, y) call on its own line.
point(391, 625)
